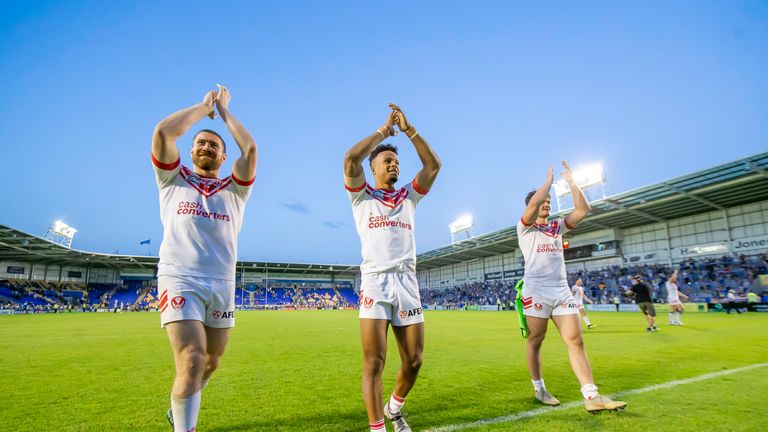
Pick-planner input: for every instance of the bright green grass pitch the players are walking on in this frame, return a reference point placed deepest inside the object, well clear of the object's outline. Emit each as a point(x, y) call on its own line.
point(299, 371)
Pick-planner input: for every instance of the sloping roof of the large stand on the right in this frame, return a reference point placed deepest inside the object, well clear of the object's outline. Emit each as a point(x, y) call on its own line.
point(728, 185)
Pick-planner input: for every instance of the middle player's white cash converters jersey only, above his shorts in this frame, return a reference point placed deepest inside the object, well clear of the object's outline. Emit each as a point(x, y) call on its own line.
point(385, 223)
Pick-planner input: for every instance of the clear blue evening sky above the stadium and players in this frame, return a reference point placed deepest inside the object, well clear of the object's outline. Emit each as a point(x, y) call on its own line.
point(501, 90)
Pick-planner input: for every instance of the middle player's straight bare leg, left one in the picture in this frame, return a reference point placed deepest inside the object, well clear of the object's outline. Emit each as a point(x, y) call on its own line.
point(373, 334)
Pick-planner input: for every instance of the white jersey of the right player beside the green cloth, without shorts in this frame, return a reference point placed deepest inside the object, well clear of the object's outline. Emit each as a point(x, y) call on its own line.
point(542, 247)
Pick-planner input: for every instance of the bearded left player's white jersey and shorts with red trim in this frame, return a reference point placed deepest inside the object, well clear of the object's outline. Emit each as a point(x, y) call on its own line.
point(201, 219)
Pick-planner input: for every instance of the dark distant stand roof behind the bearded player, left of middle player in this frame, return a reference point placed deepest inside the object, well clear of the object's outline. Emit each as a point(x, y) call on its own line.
point(16, 245)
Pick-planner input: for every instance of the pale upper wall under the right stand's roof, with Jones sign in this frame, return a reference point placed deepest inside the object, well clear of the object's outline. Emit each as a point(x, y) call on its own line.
point(740, 230)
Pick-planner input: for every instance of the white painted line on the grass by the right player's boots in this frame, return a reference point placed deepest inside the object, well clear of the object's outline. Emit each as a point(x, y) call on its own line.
point(574, 404)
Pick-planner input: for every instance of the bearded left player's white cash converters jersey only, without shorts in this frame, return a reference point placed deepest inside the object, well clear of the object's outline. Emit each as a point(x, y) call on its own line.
point(201, 219)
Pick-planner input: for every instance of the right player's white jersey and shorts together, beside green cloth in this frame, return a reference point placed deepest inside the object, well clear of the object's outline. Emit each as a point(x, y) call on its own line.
point(545, 291)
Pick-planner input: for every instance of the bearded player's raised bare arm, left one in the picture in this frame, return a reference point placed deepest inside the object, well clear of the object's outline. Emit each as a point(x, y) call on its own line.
point(166, 133)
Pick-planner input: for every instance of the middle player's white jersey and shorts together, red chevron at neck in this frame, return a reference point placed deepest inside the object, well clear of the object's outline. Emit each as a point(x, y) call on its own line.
point(385, 223)
